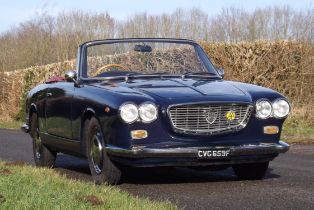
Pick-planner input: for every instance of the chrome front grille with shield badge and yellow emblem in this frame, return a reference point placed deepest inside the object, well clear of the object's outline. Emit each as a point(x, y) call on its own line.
point(209, 119)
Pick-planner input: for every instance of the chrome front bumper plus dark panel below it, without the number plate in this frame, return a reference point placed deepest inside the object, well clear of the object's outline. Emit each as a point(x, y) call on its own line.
point(142, 156)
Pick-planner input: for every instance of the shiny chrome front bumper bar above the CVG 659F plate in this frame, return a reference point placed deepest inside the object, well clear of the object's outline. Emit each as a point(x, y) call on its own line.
point(191, 152)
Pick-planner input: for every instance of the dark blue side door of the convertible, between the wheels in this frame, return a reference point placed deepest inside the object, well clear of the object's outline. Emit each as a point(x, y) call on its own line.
point(58, 109)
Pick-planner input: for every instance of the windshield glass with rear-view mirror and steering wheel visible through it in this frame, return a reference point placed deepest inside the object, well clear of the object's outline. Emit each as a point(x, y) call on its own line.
point(147, 57)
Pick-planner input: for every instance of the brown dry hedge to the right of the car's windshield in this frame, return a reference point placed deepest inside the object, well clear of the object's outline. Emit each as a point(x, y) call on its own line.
point(283, 66)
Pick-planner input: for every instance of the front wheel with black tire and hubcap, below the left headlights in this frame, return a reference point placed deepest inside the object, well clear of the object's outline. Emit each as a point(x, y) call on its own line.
point(102, 168)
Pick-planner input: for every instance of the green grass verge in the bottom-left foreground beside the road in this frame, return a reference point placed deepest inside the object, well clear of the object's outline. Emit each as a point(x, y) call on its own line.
point(27, 187)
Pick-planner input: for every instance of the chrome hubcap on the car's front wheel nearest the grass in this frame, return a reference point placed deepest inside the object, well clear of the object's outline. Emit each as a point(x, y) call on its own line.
point(97, 153)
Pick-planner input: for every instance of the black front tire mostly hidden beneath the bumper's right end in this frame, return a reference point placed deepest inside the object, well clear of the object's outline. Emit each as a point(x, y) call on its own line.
point(251, 171)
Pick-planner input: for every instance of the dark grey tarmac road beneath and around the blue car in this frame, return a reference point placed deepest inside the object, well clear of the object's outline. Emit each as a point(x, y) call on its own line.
point(289, 183)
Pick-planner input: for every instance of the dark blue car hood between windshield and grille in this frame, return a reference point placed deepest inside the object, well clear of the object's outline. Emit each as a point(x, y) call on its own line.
point(177, 89)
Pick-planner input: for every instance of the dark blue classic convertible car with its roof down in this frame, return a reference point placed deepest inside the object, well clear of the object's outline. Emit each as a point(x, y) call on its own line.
point(154, 103)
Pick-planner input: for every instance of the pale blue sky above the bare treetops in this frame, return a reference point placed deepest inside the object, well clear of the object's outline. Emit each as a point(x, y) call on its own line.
point(14, 12)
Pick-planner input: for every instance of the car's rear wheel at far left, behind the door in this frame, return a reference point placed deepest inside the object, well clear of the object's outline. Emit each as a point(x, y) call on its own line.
point(43, 156)
